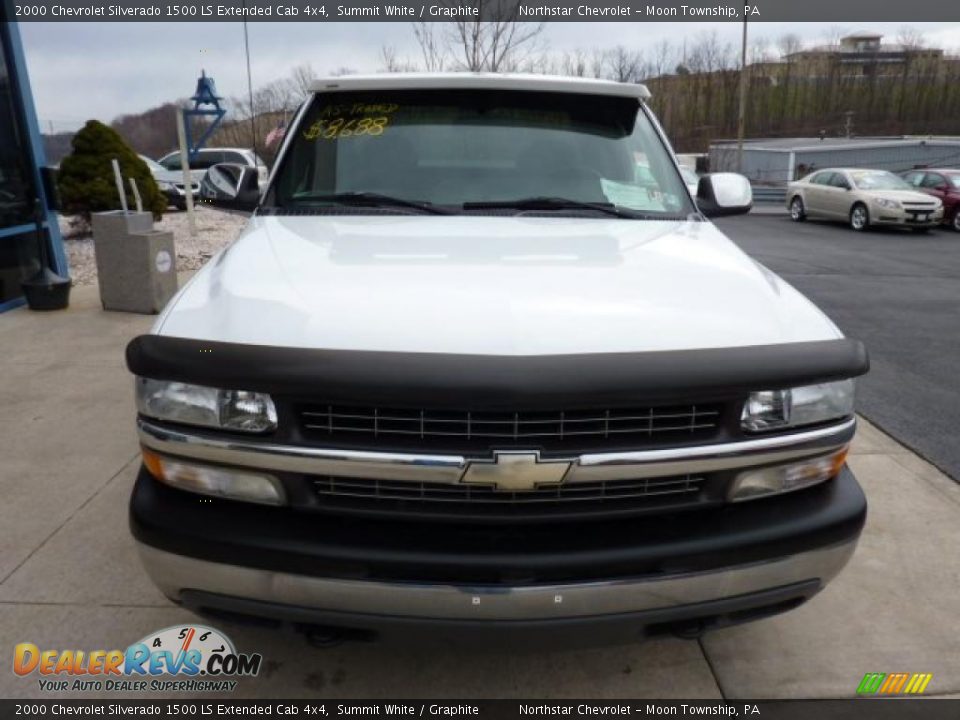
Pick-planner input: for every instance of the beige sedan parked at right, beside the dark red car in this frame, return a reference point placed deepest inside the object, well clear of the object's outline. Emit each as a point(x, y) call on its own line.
point(862, 198)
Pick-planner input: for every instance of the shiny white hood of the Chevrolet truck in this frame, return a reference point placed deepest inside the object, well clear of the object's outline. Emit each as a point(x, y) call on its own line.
point(488, 285)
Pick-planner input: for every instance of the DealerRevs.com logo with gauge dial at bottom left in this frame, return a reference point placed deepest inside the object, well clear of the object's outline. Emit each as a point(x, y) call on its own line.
point(186, 658)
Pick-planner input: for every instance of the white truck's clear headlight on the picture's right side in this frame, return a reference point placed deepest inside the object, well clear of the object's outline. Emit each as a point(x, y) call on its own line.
point(778, 409)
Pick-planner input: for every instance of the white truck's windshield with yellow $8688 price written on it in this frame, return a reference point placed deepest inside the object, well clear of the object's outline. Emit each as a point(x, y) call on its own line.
point(450, 148)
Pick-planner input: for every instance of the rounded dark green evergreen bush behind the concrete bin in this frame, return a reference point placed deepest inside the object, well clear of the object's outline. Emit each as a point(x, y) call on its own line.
point(86, 180)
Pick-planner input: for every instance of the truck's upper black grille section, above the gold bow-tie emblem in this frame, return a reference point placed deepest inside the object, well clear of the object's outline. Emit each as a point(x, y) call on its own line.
point(466, 430)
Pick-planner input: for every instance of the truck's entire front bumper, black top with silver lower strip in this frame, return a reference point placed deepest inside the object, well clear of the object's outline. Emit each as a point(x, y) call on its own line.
point(680, 573)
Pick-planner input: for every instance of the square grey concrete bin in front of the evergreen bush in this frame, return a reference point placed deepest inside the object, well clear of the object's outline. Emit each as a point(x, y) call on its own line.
point(136, 265)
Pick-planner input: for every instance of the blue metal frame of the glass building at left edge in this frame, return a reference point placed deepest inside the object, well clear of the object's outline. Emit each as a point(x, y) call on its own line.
point(31, 152)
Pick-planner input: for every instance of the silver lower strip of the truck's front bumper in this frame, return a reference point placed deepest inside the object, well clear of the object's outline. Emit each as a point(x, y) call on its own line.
point(175, 573)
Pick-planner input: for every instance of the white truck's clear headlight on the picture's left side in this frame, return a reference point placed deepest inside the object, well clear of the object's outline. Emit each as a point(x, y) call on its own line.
point(210, 407)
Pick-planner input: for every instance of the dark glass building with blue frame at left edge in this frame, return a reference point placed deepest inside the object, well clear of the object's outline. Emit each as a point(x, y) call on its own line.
point(21, 185)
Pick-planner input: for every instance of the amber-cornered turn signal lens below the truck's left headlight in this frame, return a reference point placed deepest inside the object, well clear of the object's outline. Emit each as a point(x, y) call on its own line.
point(216, 481)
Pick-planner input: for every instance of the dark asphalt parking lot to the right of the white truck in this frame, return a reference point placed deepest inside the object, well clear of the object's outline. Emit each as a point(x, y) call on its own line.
point(897, 291)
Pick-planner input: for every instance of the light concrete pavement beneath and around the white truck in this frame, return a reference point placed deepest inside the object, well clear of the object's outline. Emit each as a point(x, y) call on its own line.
point(69, 576)
